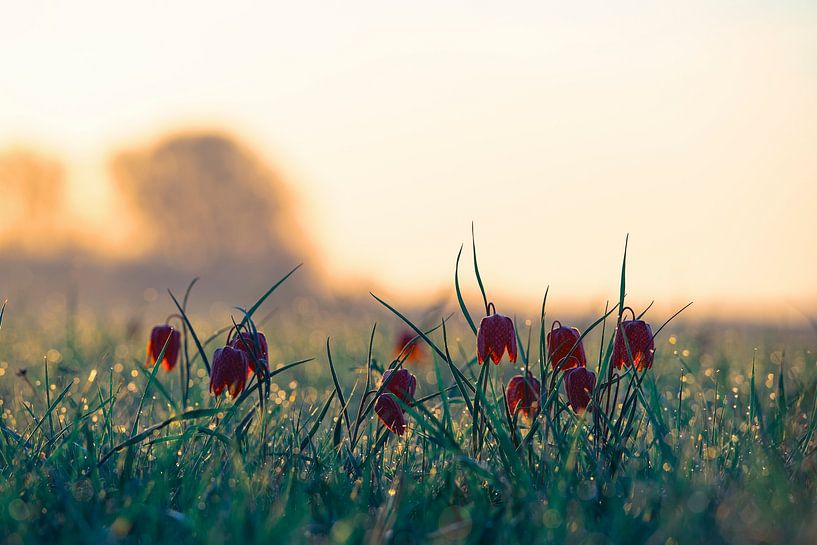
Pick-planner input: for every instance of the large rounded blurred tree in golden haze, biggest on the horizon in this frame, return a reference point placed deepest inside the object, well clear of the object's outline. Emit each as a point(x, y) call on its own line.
point(204, 199)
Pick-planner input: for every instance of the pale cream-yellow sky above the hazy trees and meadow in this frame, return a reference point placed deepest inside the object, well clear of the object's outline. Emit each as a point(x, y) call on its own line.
point(557, 128)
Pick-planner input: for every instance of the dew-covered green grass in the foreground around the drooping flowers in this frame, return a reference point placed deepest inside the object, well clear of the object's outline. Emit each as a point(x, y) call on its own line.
point(691, 450)
